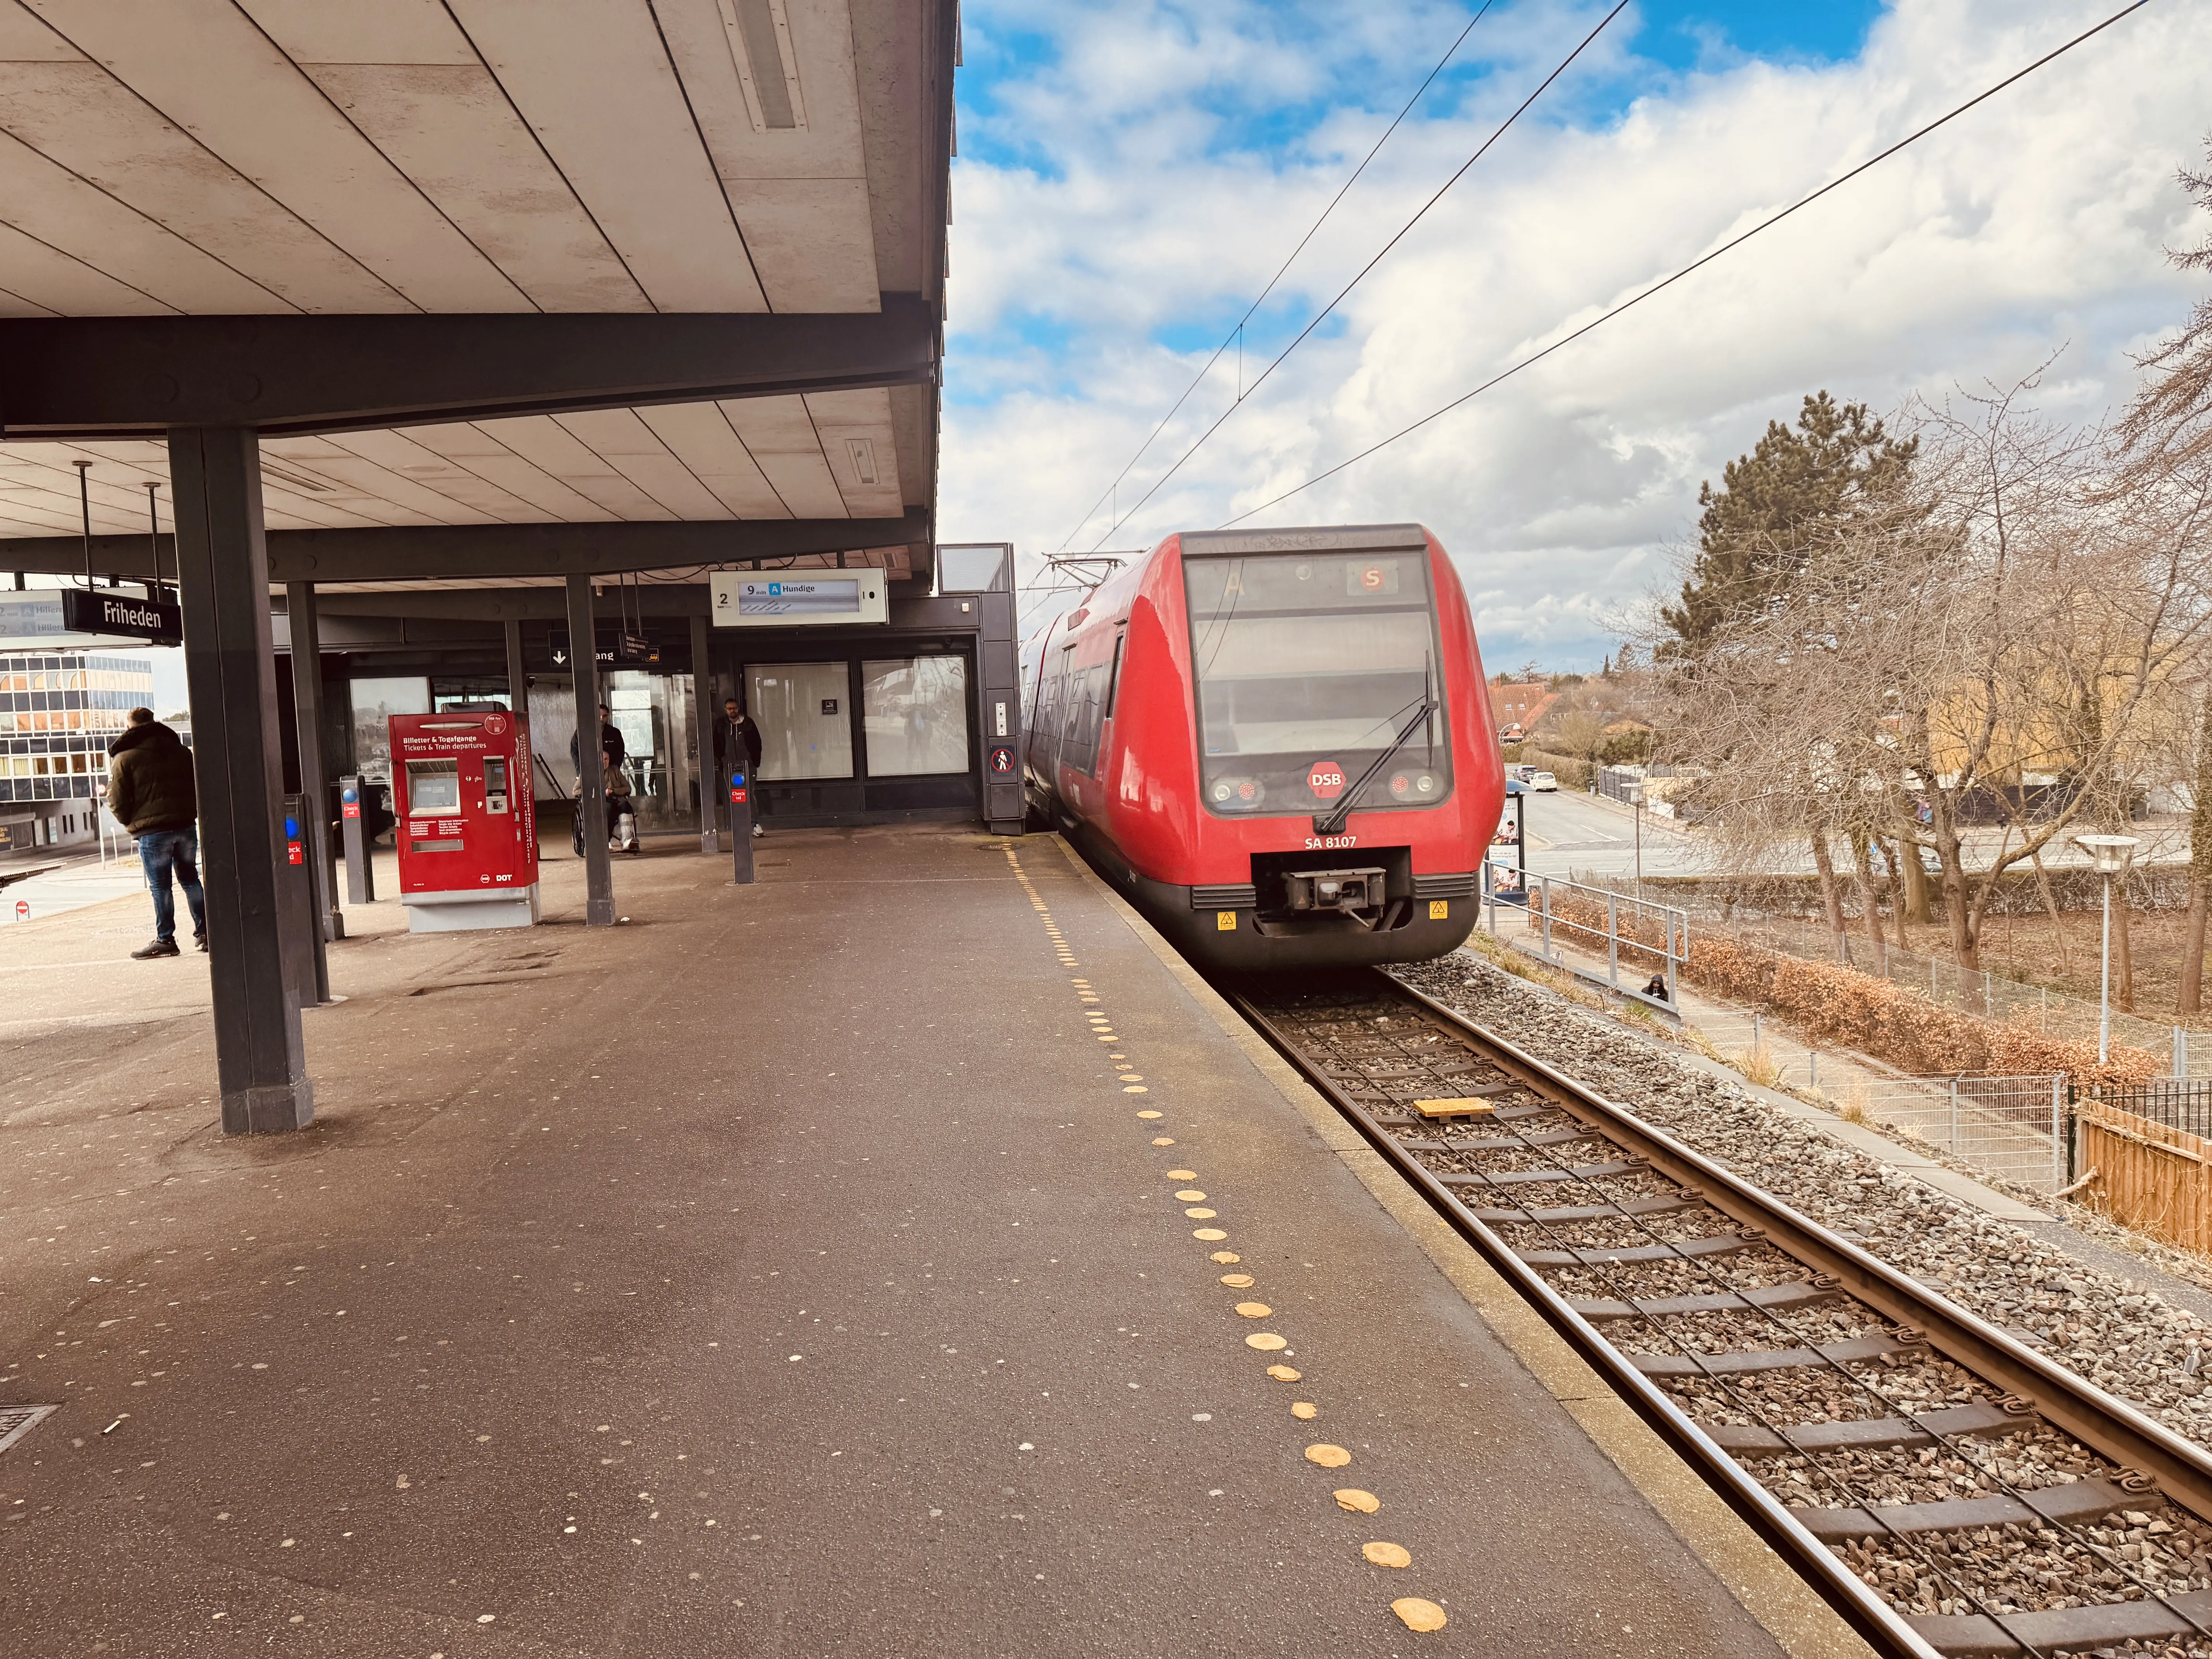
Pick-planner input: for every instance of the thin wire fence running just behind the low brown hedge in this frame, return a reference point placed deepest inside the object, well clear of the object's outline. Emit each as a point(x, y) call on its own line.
point(1954, 988)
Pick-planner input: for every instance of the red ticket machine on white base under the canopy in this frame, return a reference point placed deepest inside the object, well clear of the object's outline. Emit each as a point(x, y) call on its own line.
point(468, 824)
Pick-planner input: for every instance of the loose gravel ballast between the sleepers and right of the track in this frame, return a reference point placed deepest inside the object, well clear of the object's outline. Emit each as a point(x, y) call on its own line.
point(2125, 1339)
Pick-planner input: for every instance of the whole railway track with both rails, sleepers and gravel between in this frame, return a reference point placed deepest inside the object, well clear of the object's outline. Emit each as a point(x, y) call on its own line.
point(1943, 1485)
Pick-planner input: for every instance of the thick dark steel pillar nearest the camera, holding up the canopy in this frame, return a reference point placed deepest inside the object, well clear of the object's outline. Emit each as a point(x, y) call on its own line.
point(231, 671)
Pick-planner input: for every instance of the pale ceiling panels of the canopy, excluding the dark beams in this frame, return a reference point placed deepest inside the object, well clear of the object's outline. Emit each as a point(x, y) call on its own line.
point(408, 158)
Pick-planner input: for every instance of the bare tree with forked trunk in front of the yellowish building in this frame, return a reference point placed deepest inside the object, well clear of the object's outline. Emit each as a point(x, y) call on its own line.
point(2045, 643)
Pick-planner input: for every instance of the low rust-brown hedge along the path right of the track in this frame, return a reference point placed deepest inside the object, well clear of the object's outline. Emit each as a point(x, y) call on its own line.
point(1881, 1019)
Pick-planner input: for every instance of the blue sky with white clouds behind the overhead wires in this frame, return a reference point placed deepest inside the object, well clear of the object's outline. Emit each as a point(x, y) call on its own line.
point(1131, 174)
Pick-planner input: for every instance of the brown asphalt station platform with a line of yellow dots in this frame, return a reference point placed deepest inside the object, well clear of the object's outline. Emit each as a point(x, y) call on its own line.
point(831, 1266)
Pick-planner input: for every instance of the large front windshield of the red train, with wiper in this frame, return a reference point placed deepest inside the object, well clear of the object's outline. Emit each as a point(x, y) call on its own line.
point(1308, 669)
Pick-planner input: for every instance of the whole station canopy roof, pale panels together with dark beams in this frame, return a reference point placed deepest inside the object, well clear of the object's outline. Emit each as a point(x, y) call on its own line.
point(335, 167)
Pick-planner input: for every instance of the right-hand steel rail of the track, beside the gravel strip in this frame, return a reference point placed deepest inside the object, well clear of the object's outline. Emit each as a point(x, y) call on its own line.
point(2080, 1408)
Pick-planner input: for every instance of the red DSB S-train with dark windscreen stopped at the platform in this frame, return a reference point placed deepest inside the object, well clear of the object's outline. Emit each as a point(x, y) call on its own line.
point(1275, 742)
